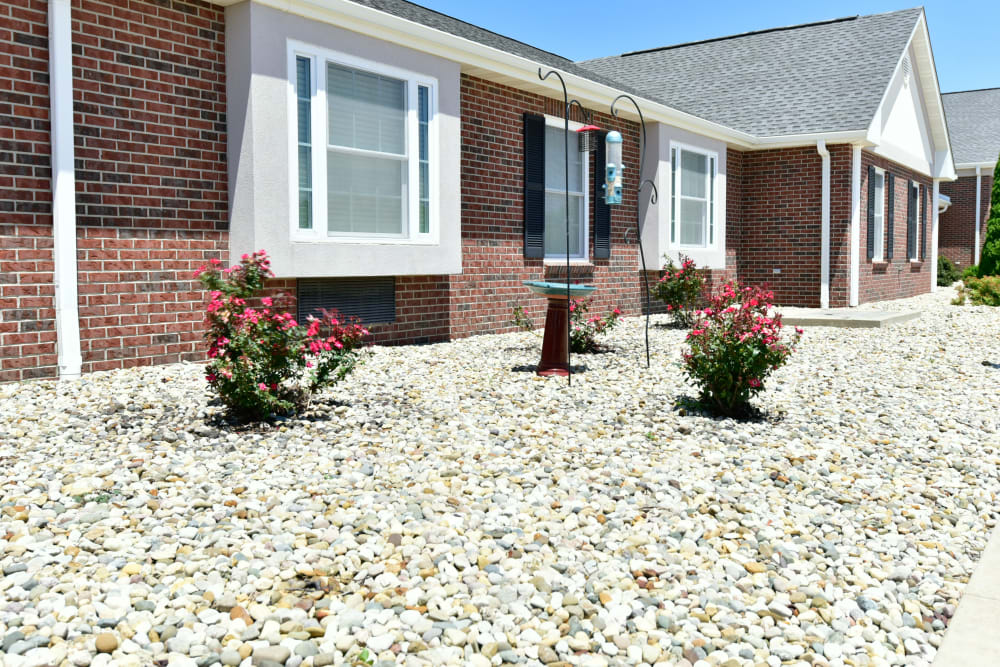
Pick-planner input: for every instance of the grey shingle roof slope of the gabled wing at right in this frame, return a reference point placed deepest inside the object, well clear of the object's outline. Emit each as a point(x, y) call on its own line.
point(820, 77)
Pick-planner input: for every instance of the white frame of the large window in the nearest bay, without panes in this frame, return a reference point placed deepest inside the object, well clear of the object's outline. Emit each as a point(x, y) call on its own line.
point(318, 232)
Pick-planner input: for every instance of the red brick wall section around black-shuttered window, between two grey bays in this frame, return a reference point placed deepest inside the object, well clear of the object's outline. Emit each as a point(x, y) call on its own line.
point(482, 297)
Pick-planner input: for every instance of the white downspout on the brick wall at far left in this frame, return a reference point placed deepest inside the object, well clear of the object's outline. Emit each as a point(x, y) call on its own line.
point(63, 189)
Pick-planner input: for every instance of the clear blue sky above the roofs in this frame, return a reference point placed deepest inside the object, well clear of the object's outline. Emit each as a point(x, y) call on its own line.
point(963, 32)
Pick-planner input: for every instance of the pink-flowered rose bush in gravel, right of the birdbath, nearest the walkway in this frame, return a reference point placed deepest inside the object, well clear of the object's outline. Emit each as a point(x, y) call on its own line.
point(735, 344)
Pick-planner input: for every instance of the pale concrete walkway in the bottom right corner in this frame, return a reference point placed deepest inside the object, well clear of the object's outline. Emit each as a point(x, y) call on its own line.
point(973, 636)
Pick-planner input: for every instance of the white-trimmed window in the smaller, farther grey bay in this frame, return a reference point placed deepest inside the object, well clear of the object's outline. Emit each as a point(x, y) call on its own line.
point(692, 197)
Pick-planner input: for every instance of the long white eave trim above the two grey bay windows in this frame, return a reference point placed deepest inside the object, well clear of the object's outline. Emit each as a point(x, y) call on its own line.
point(388, 27)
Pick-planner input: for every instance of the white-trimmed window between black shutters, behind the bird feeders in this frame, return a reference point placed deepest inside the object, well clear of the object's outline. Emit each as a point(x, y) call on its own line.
point(555, 194)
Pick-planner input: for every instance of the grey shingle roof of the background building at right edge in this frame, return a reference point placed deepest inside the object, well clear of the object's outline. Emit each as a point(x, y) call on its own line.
point(973, 124)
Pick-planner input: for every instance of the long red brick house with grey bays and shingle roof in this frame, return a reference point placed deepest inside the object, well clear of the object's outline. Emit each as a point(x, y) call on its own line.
point(388, 157)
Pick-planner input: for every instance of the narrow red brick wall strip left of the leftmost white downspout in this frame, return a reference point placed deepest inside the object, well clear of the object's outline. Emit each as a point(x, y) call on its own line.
point(27, 327)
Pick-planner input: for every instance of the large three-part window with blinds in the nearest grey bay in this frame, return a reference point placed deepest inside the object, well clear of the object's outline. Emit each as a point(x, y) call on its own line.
point(364, 150)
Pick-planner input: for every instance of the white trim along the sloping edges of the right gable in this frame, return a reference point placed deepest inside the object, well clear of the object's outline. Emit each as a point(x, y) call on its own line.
point(944, 165)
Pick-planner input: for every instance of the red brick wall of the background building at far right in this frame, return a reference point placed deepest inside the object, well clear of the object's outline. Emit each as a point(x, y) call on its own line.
point(957, 225)
